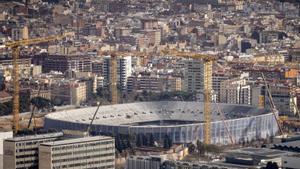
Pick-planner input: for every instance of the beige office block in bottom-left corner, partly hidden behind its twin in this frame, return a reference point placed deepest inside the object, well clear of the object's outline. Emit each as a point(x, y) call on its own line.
point(22, 152)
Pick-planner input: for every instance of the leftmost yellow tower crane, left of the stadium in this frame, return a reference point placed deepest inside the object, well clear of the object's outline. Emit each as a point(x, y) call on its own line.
point(15, 47)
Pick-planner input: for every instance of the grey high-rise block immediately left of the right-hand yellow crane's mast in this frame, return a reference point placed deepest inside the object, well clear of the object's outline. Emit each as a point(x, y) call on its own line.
point(193, 76)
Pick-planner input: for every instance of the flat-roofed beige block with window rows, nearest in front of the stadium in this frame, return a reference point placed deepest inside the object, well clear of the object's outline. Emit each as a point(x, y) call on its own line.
point(86, 152)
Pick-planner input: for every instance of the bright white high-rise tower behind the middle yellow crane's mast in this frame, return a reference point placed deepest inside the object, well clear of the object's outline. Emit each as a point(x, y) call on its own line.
point(124, 70)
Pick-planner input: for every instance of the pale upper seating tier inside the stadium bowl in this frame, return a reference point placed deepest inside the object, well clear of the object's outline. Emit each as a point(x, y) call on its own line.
point(127, 114)
